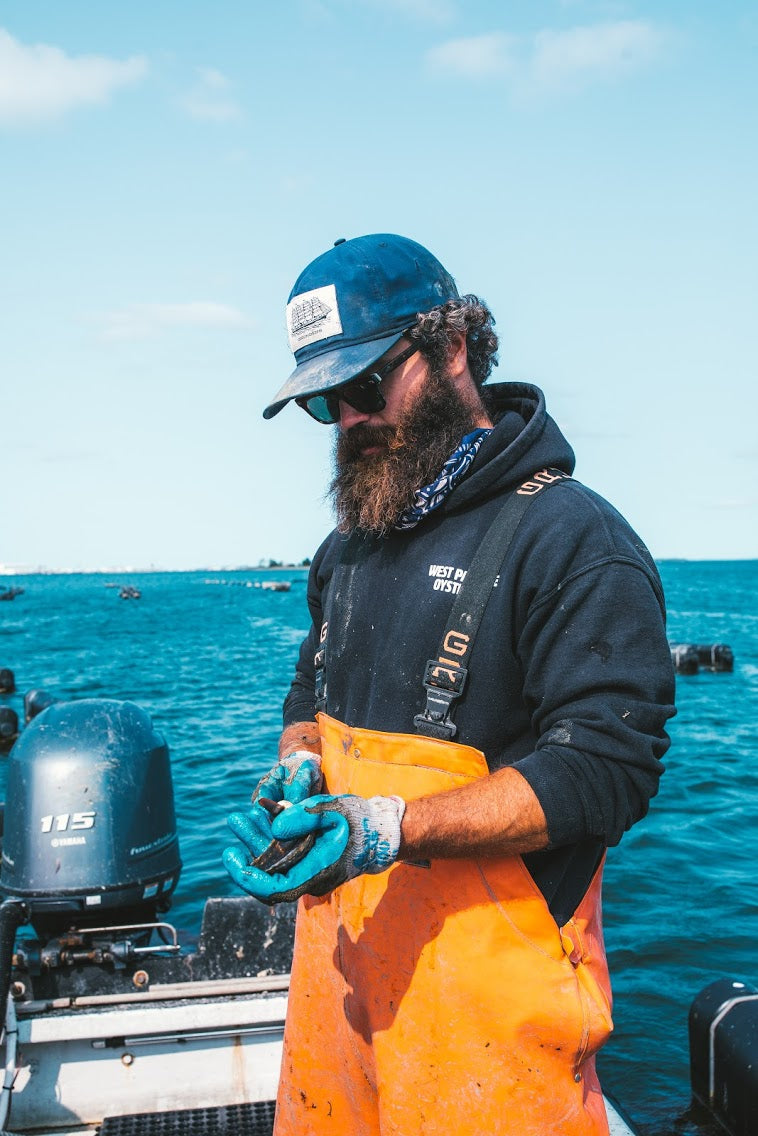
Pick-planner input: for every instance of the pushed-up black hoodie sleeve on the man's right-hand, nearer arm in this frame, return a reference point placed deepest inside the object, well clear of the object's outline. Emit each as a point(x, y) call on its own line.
point(598, 684)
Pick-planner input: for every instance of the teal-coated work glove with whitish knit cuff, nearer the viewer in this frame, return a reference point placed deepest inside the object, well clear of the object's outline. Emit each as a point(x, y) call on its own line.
point(355, 836)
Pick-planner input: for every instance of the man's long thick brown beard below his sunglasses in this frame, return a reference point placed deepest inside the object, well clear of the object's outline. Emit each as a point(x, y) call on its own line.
point(371, 492)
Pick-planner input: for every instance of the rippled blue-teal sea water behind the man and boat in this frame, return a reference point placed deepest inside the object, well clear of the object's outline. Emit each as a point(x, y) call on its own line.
point(212, 658)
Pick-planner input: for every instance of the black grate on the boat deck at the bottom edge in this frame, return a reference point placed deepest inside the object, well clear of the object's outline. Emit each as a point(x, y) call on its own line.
point(255, 1120)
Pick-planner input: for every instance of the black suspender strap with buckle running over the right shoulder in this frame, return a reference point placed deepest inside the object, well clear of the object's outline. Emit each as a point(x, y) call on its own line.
point(445, 678)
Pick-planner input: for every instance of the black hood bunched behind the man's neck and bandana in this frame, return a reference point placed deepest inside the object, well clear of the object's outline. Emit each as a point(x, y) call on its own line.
point(526, 440)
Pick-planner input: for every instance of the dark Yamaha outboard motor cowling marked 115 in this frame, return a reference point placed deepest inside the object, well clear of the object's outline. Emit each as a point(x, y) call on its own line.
point(90, 828)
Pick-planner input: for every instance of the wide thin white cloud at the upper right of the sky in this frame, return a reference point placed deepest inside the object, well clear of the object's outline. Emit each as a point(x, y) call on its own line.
point(552, 60)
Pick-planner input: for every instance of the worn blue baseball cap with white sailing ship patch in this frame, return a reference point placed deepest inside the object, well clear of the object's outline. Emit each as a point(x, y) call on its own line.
point(352, 304)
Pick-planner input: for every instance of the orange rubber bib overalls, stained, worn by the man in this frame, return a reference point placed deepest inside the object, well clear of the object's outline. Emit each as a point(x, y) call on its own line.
point(439, 1001)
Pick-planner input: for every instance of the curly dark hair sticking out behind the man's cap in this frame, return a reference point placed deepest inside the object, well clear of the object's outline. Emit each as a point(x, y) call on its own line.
point(468, 316)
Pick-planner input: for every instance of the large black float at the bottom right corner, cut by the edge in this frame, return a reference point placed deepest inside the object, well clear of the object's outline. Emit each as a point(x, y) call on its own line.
point(724, 1055)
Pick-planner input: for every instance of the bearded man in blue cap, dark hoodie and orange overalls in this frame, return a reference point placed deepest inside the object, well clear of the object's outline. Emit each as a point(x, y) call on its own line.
point(478, 713)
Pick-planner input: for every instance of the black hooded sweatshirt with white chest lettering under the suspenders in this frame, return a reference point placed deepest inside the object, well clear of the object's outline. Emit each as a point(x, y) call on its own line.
point(571, 679)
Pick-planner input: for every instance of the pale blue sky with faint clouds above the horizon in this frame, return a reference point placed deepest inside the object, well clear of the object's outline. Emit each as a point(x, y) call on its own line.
point(169, 169)
